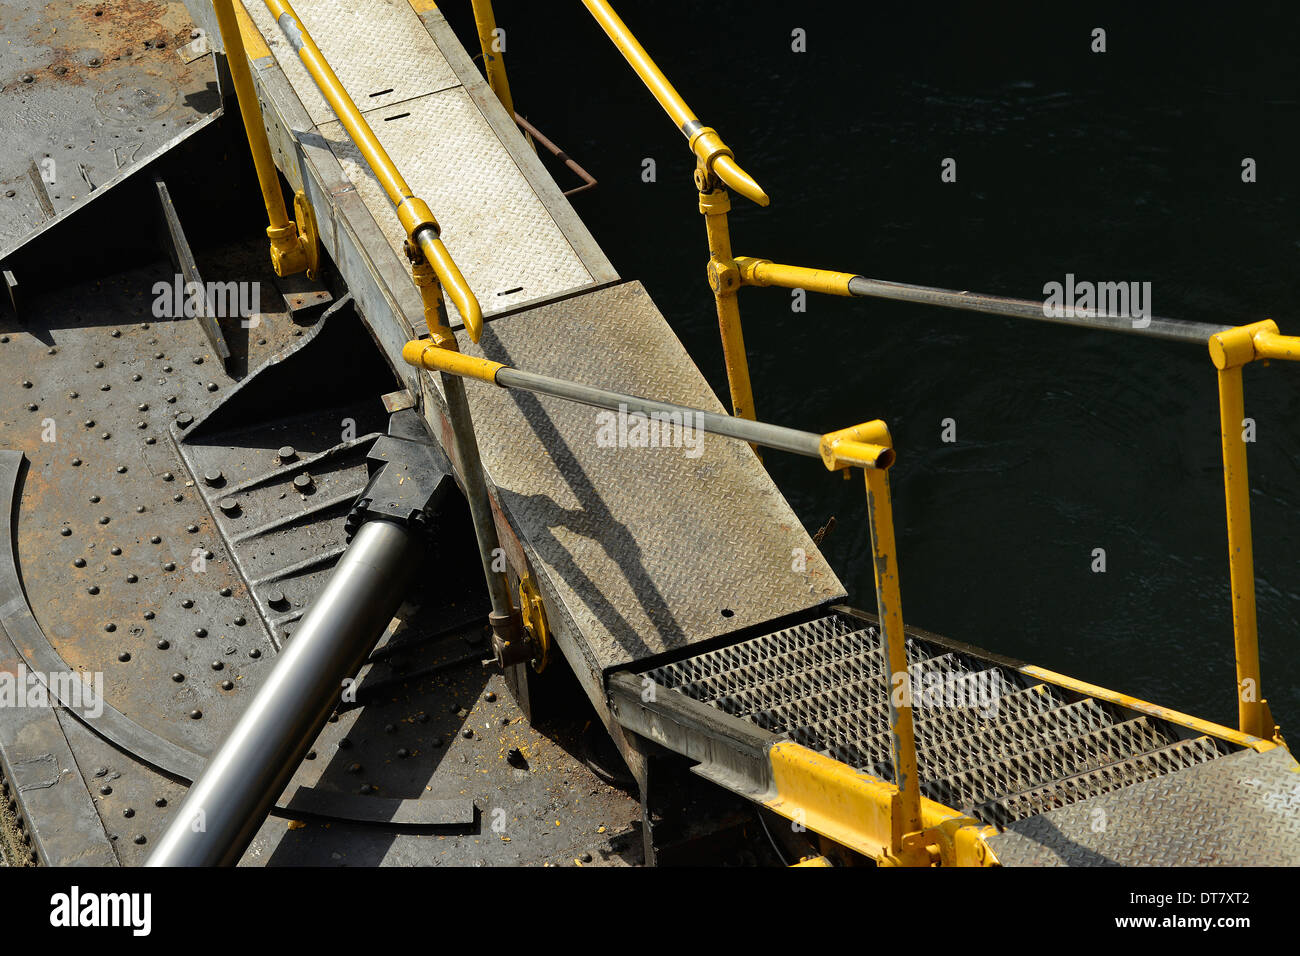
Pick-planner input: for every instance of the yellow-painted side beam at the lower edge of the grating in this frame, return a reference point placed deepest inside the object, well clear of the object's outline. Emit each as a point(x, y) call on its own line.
point(861, 812)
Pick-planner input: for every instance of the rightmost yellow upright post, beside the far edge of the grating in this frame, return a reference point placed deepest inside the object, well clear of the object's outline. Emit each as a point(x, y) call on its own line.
point(1253, 713)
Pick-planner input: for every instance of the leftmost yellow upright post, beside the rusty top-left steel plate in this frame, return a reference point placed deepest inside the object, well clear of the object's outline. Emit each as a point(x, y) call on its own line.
point(288, 250)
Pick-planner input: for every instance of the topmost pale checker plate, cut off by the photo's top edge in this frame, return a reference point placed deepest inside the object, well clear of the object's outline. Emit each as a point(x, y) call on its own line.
point(380, 51)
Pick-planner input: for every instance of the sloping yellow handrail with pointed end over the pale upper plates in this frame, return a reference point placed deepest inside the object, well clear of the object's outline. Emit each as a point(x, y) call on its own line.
point(413, 213)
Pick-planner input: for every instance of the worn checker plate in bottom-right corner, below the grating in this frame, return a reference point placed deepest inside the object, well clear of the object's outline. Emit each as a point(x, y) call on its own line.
point(1237, 811)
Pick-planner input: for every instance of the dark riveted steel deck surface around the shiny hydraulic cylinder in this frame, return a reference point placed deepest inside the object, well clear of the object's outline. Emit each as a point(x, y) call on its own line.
point(426, 728)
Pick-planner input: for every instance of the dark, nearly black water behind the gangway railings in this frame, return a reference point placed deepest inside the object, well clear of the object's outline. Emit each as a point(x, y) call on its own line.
point(1116, 167)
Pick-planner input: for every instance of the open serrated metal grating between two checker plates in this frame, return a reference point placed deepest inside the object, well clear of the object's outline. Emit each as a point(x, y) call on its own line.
point(989, 742)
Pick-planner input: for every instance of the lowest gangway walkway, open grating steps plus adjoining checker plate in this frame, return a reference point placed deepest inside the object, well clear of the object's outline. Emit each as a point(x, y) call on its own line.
point(1072, 780)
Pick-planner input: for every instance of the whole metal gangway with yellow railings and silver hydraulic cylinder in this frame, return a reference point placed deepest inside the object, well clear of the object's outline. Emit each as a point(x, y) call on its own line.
point(684, 624)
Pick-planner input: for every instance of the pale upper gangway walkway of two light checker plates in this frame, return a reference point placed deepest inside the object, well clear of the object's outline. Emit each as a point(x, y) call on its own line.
point(502, 235)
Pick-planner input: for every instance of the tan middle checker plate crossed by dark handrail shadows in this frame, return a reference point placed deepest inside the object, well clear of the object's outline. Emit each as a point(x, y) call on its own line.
point(648, 550)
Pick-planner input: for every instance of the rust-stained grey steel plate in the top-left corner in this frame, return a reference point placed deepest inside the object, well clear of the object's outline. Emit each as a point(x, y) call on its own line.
point(89, 94)
